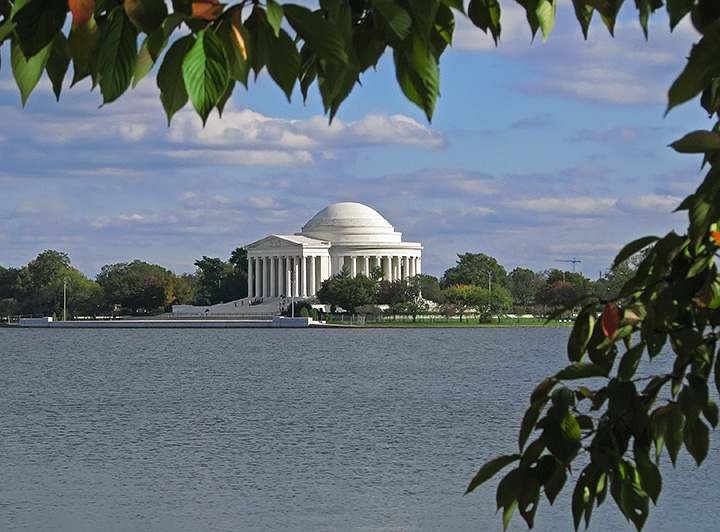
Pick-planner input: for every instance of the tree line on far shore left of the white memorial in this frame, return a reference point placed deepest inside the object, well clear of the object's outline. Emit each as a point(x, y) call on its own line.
point(49, 283)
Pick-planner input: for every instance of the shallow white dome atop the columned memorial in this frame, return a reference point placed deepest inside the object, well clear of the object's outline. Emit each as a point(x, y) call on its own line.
point(350, 222)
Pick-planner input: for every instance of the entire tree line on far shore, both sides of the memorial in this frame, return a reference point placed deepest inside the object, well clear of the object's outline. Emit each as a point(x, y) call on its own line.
point(477, 285)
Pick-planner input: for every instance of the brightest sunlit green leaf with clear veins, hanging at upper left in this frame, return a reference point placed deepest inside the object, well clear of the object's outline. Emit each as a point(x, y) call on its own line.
point(205, 71)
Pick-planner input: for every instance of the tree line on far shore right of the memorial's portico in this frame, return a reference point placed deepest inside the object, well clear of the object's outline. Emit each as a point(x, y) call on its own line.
point(477, 285)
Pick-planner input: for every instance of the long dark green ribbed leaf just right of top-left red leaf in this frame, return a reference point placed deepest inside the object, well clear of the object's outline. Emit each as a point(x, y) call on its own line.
point(117, 55)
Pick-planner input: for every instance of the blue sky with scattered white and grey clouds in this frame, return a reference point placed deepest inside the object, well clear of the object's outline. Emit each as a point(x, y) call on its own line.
point(537, 154)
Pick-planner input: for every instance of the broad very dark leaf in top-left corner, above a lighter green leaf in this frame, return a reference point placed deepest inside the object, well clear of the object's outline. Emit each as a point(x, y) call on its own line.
point(37, 23)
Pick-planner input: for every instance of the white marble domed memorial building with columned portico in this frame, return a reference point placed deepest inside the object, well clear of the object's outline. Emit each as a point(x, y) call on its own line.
point(343, 234)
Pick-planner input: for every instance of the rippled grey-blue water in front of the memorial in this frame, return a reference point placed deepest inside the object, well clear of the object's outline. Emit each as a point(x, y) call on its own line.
point(293, 430)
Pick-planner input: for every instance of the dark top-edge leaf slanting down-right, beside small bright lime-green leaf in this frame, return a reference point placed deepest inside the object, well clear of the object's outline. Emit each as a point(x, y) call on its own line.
point(319, 34)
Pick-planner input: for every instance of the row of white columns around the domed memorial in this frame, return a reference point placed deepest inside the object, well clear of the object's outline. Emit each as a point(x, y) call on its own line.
point(300, 276)
